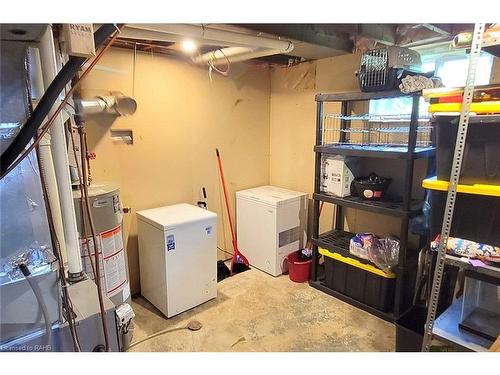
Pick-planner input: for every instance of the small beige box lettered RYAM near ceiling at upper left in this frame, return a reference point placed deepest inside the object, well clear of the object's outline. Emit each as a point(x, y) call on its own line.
point(79, 39)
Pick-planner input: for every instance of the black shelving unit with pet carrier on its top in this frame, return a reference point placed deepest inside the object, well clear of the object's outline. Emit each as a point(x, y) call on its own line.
point(337, 240)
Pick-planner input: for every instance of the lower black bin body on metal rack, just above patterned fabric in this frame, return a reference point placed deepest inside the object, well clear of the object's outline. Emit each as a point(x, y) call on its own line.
point(475, 218)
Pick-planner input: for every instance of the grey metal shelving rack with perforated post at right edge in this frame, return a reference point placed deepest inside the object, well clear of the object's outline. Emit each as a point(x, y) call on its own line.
point(446, 326)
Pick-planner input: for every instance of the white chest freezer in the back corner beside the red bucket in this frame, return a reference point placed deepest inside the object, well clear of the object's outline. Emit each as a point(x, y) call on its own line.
point(271, 223)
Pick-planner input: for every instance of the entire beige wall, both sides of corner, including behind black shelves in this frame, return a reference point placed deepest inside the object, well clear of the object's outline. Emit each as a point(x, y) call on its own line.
point(263, 122)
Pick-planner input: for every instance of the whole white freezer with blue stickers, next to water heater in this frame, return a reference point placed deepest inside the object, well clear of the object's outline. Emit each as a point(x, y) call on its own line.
point(177, 256)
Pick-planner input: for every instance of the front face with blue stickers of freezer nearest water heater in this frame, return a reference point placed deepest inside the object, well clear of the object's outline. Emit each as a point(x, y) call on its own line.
point(191, 265)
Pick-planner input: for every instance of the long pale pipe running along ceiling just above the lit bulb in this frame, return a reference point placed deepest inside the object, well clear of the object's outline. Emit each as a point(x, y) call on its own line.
point(222, 36)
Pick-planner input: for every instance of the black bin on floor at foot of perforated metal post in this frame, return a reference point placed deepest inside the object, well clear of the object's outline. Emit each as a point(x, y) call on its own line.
point(410, 329)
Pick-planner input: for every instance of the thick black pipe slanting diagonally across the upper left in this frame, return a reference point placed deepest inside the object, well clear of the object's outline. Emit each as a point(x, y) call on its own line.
point(30, 128)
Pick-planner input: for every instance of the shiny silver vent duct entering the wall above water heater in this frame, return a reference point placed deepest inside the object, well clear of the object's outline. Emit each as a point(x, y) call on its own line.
point(120, 105)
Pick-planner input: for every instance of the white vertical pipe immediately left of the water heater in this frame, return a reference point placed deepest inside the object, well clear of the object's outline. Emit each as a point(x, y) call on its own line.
point(61, 164)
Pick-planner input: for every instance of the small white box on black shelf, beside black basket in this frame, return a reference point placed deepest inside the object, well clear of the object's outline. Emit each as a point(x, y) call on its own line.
point(336, 177)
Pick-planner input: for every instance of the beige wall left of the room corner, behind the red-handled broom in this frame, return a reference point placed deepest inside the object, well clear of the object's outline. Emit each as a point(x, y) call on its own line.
point(181, 118)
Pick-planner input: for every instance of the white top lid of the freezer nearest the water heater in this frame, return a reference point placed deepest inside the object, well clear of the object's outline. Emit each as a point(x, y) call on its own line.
point(169, 217)
